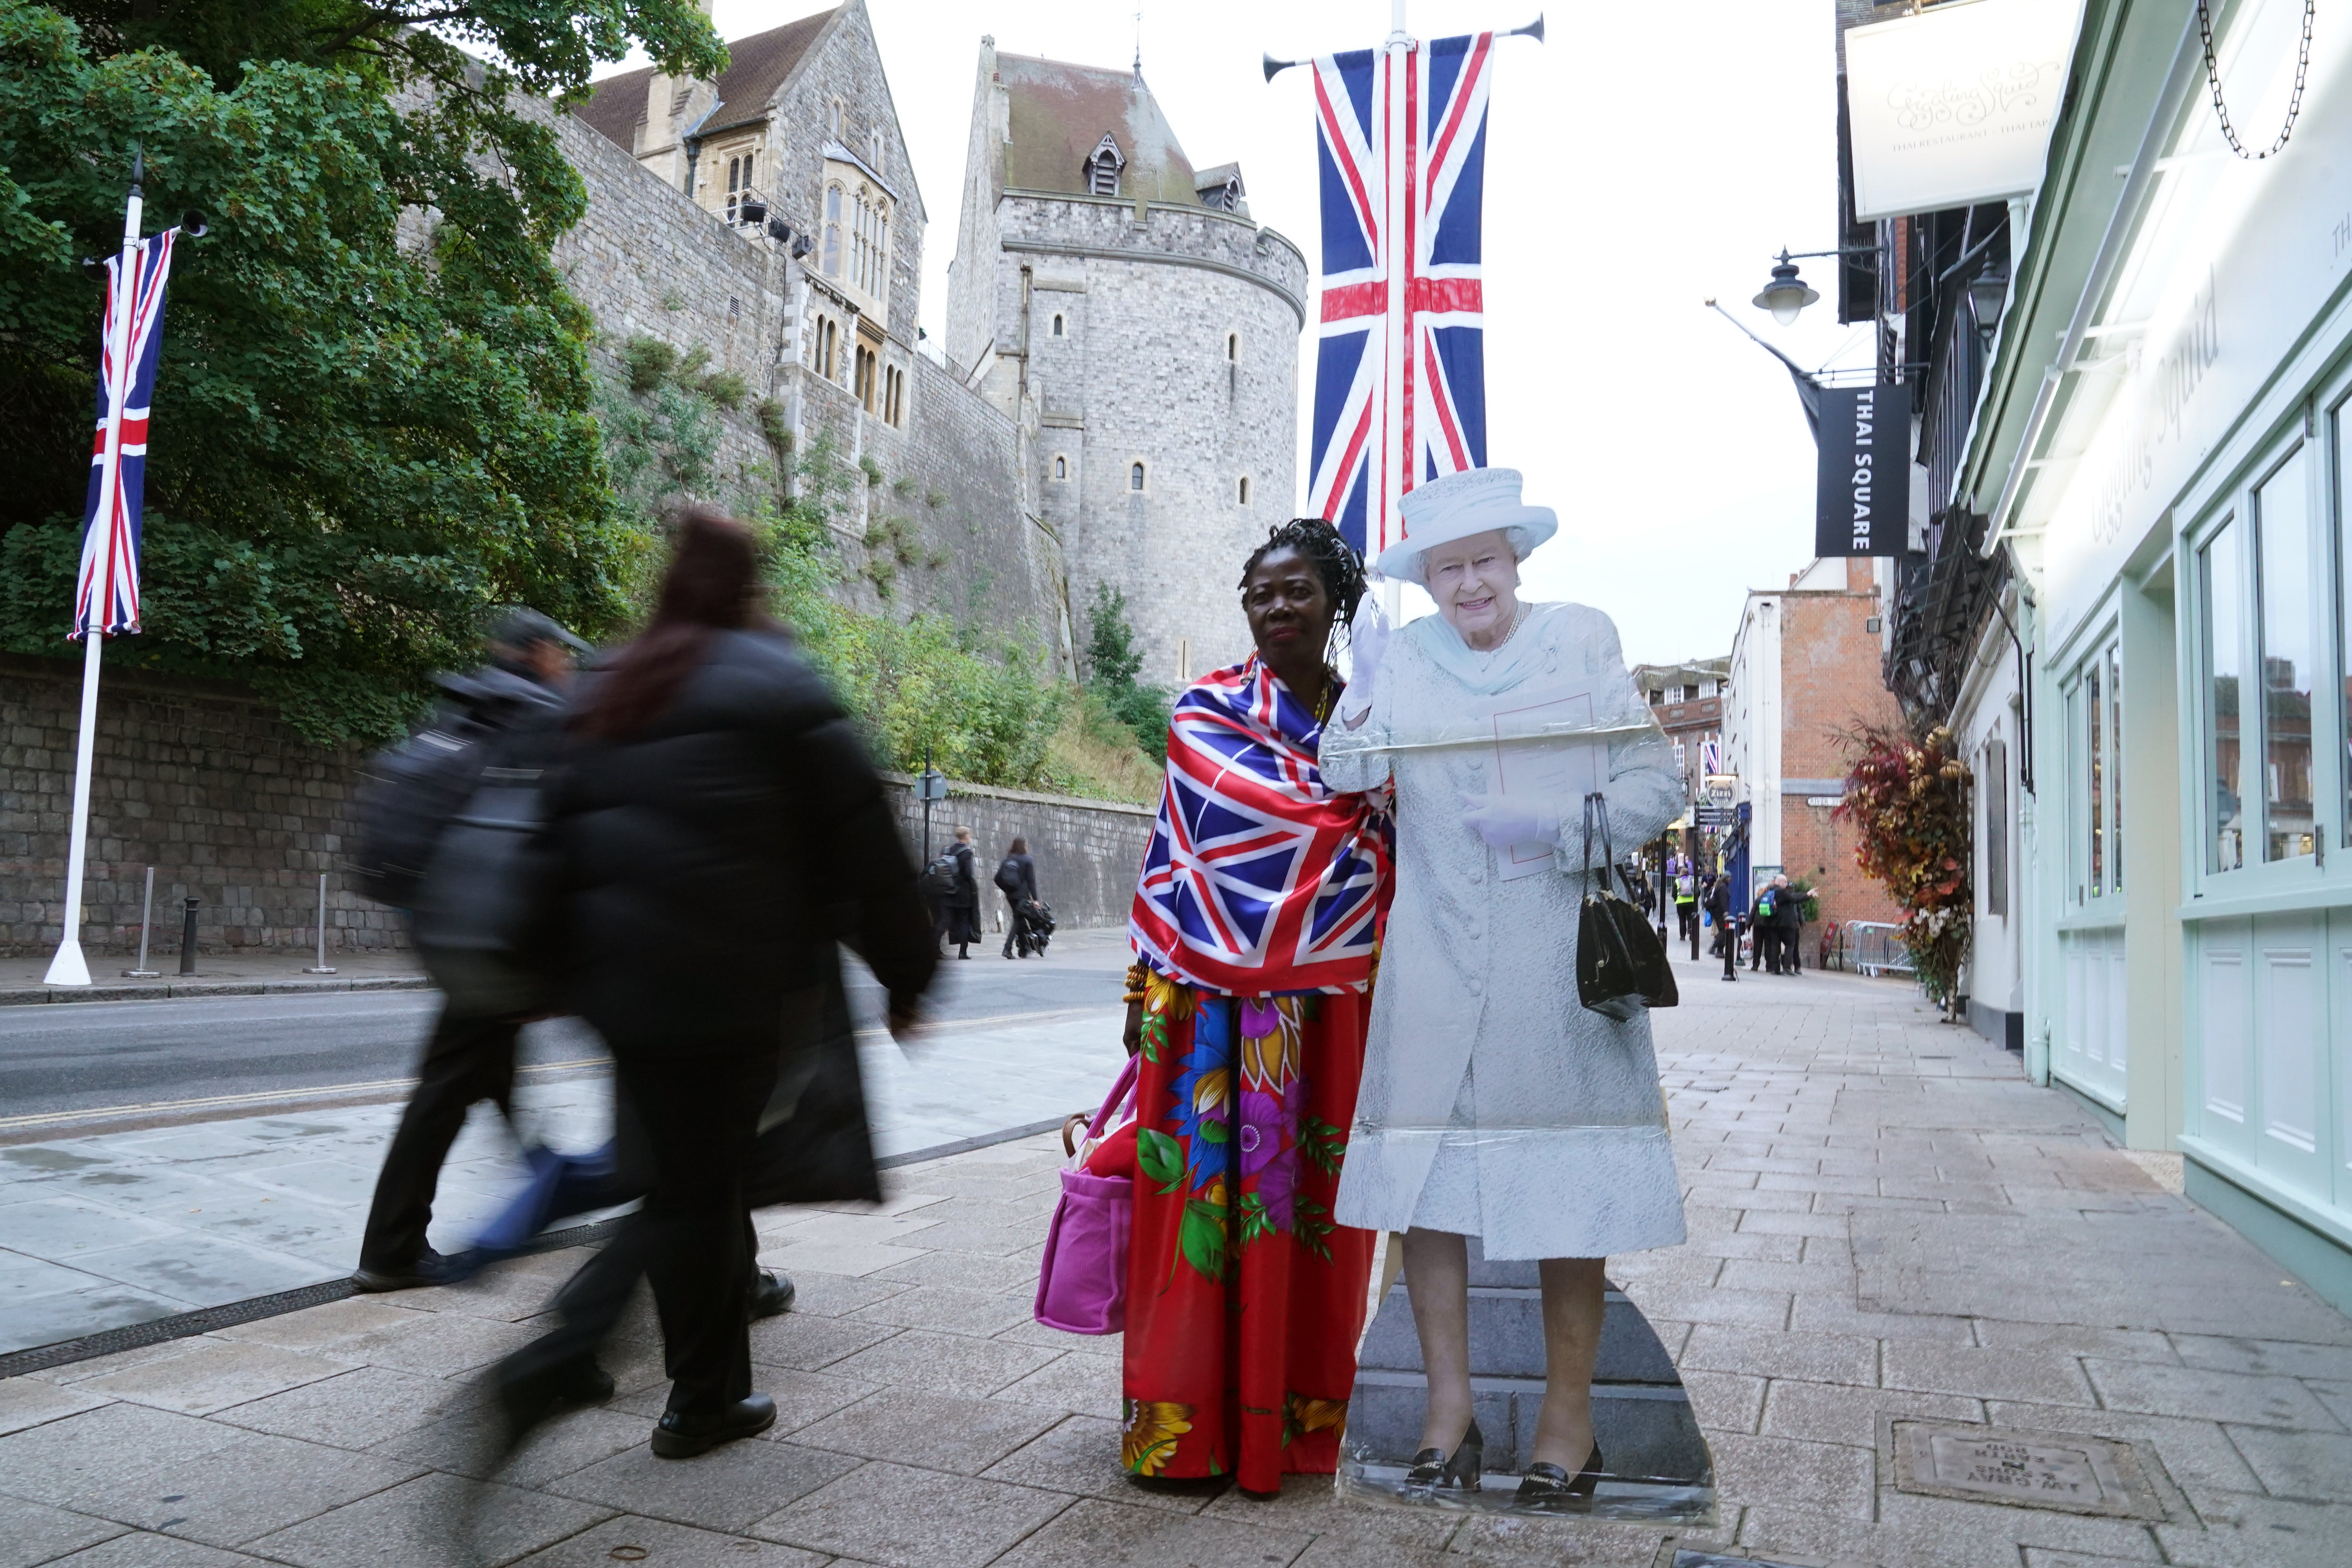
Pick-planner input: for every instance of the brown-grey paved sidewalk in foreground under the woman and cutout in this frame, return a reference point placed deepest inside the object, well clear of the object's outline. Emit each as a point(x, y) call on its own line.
point(1887, 1226)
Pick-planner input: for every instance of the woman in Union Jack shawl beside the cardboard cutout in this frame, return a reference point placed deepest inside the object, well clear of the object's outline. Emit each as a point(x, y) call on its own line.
point(1255, 927)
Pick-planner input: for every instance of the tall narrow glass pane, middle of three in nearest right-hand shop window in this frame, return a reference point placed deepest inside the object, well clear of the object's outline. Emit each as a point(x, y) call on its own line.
point(2285, 598)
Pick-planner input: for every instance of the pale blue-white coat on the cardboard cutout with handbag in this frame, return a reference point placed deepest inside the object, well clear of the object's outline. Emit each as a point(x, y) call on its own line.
point(1495, 1104)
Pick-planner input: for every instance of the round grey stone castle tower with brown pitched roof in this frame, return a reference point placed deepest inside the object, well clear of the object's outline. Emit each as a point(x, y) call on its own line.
point(1130, 307)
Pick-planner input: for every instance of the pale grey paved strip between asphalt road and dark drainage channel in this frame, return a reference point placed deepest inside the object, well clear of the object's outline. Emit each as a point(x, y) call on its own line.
point(123, 1228)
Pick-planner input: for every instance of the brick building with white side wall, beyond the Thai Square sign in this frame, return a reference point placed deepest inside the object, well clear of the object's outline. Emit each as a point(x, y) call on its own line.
point(1805, 671)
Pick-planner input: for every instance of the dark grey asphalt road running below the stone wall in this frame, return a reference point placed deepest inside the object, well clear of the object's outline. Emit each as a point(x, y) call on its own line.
point(159, 1057)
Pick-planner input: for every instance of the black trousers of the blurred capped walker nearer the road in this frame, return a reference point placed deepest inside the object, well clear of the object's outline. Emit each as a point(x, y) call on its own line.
point(467, 1059)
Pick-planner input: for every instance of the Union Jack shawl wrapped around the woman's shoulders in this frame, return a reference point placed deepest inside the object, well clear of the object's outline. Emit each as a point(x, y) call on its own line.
point(1257, 878)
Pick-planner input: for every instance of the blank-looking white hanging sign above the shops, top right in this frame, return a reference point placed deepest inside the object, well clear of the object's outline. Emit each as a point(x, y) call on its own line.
point(1956, 107)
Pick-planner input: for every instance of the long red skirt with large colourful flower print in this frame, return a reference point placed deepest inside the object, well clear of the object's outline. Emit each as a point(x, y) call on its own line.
point(1243, 1296)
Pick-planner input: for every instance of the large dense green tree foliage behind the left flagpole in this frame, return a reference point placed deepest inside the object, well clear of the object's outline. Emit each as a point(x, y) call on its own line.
point(375, 410)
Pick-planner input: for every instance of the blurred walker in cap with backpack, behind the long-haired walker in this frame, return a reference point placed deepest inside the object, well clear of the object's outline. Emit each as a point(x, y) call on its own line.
point(425, 850)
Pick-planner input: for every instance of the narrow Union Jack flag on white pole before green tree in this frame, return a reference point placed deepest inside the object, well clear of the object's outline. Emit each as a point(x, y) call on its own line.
point(119, 478)
